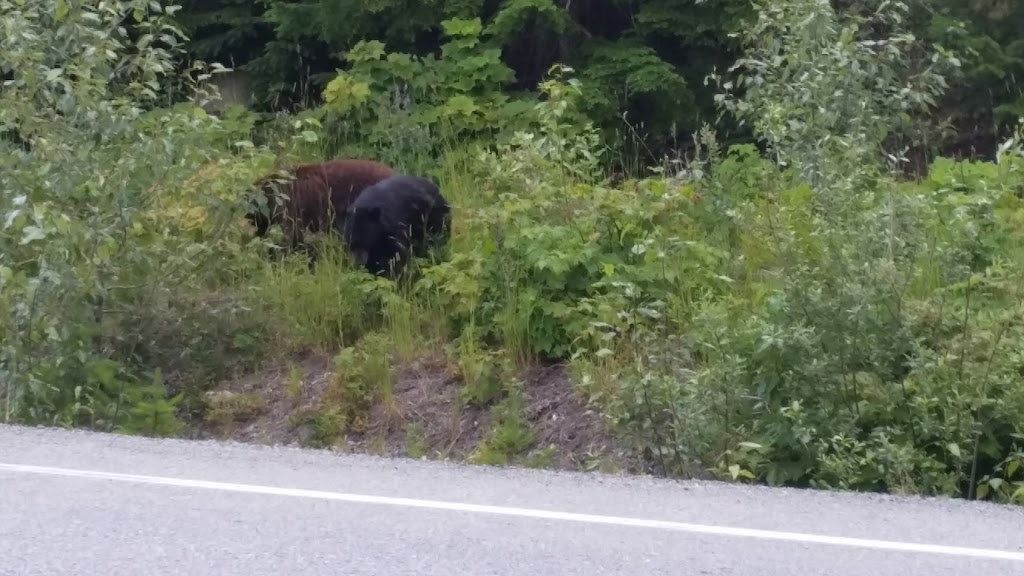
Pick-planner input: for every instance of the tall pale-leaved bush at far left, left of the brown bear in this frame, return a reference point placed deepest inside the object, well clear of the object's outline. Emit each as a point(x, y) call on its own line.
point(92, 254)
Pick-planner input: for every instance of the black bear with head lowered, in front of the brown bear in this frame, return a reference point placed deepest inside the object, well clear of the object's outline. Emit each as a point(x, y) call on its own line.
point(395, 219)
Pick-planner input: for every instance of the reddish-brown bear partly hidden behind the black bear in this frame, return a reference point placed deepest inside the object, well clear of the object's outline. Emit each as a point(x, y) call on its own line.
point(317, 196)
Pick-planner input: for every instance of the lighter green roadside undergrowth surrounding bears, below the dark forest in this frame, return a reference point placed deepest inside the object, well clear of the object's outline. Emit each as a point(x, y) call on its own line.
point(799, 318)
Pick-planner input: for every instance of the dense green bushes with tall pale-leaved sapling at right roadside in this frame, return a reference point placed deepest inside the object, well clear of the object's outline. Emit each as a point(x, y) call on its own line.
point(871, 342)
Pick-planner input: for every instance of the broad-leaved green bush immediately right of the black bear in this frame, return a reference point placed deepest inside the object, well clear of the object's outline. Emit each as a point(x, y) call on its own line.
point(545, 250)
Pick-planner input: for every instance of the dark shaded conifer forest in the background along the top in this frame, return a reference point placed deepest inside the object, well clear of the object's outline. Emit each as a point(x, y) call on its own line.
point(643, 64)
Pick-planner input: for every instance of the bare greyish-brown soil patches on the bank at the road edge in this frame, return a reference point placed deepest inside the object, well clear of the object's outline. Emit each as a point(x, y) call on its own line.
point(425, 400)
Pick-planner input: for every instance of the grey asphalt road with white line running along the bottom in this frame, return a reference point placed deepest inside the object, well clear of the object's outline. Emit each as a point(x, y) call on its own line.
point(219, 510)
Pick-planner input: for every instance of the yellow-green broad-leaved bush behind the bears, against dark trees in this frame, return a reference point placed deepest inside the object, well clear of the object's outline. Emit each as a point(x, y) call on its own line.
point(403, 106)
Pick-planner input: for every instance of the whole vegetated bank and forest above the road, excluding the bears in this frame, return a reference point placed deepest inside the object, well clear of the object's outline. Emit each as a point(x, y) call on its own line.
point(767, 242)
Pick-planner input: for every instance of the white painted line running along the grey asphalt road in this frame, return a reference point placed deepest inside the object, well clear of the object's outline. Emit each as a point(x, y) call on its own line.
point(524, 513)
